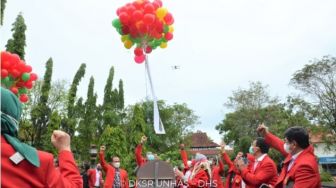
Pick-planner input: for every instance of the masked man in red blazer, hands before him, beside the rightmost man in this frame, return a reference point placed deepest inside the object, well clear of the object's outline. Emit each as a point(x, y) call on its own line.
point(264, 170)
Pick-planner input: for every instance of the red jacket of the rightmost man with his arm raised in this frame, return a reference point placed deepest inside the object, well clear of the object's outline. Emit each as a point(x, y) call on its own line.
point(303, 173)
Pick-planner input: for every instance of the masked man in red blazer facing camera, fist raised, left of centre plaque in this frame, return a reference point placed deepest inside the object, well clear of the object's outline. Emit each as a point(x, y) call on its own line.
point(111, 171)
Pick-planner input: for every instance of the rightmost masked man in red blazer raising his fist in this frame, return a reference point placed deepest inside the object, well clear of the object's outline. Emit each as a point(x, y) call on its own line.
point(300, 167)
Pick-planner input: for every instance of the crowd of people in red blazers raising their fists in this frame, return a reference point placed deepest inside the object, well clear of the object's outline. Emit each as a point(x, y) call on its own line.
point(24, 166)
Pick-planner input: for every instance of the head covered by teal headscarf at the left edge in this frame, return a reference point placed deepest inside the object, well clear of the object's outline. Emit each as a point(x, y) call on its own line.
point(10, 112)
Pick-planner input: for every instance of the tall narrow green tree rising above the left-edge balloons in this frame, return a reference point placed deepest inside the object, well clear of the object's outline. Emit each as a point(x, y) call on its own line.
point(17, 44)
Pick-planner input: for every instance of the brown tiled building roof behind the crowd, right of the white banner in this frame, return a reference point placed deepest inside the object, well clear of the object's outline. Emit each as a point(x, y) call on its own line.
point(201, 140)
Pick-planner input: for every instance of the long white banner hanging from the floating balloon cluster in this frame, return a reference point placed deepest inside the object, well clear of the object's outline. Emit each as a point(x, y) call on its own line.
point(158, 125)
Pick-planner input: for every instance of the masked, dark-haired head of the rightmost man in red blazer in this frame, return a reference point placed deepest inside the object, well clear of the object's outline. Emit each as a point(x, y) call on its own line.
point(296, 140)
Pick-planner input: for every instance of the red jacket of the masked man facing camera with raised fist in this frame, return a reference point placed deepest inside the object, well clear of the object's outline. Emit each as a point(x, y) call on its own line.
point(110, 173)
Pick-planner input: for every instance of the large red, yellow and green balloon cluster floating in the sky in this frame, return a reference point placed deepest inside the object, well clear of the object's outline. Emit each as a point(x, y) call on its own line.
point(144, 24)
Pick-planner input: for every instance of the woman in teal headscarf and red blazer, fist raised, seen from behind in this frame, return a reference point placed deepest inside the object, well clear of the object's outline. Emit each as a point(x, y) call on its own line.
point(24, 166)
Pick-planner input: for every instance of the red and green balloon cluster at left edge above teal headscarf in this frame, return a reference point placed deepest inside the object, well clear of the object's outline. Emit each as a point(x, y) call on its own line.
point(16, 75)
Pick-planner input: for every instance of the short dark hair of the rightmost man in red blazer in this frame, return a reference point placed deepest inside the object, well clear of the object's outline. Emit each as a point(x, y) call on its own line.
point(299, 135)
